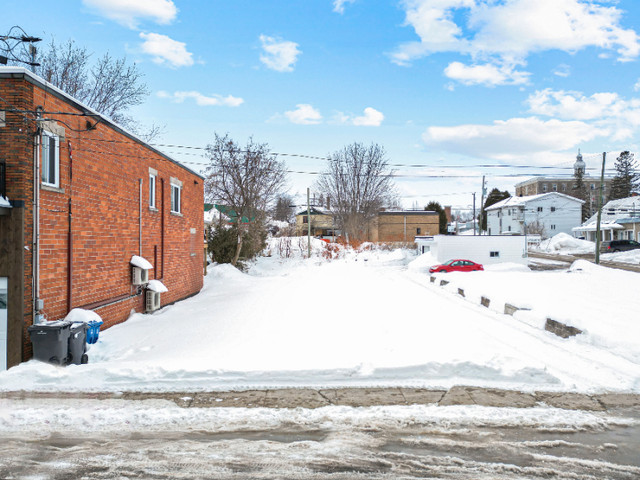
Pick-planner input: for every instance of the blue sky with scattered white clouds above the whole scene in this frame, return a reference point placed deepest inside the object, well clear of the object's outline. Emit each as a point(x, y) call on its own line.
point(438, 83)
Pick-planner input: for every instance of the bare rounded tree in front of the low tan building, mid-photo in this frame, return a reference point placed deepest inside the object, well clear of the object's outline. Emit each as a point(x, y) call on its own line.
point(359, 184)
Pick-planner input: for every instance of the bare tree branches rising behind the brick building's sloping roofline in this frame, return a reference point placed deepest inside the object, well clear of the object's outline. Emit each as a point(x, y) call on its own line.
point(109, 85)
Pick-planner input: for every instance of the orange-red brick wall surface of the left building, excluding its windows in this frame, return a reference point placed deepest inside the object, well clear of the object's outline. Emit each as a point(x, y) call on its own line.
point(98, 208)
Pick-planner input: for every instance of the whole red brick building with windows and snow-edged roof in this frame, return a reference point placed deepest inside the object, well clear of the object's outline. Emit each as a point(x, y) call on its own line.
point(82, 196)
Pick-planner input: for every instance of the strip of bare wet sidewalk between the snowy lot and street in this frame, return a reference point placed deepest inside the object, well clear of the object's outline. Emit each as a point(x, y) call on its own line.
point(360, 397)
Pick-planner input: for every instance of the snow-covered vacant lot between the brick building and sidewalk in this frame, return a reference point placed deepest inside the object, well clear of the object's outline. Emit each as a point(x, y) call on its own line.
point(369, 318)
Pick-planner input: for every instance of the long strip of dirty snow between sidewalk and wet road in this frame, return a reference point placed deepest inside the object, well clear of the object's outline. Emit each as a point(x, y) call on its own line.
point(42, 417)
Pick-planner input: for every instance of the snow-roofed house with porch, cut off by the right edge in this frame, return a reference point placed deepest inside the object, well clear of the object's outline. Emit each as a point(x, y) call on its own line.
point(620, 220)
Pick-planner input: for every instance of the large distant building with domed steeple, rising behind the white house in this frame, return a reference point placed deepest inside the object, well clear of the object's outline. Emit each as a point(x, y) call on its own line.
point(565, 185)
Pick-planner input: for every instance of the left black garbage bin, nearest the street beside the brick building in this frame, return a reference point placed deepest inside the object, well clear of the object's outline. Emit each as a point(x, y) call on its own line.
point(50, 341)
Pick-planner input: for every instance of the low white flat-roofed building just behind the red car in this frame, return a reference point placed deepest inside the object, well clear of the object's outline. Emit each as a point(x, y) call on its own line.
point(478, 248)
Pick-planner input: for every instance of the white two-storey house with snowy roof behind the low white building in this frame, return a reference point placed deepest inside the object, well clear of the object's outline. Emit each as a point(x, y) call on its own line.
point(547, 214)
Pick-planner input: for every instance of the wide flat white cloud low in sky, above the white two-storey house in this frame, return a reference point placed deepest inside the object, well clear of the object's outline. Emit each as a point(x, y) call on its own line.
point(514, 139)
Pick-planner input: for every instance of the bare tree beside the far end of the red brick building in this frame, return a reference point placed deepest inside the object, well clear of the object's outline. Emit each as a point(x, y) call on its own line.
point(246, 180)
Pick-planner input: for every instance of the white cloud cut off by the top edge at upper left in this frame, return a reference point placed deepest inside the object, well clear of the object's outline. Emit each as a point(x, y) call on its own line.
point(129, 13)
